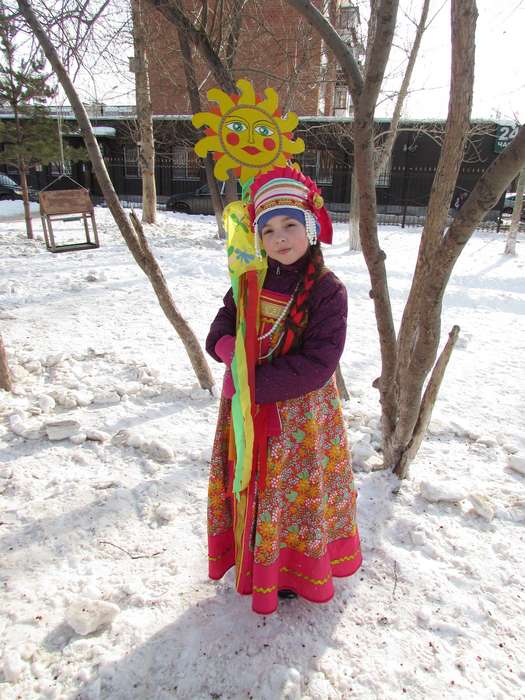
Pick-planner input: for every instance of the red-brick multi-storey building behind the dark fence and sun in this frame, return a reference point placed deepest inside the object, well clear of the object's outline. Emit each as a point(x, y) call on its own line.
point(276, 47)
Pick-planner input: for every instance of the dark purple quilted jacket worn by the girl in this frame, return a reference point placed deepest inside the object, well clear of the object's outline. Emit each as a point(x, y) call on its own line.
point(310, 366)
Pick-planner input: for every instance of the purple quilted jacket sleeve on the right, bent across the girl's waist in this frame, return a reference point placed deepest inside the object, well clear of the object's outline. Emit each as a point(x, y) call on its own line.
point(310, 366)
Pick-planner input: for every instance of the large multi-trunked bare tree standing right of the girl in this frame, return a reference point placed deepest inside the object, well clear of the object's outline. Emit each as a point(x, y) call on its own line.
point(409, 358)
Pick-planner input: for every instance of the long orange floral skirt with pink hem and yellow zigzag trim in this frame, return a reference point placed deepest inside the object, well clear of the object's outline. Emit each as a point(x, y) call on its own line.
point(299, 530)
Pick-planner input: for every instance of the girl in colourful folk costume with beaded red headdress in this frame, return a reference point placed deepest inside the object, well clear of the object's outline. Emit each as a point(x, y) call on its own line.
point(293, 528)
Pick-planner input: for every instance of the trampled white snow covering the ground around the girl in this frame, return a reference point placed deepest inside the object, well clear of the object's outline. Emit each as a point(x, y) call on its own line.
point(103, 534)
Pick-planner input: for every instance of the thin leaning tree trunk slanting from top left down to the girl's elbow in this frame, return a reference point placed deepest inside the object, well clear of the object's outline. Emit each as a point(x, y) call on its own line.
point(136, 241)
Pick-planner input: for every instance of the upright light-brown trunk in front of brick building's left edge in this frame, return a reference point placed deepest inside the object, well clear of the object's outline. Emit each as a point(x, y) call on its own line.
point(144, 116)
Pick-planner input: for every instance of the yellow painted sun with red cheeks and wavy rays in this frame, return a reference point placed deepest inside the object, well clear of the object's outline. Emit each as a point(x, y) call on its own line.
point(246, 134)
